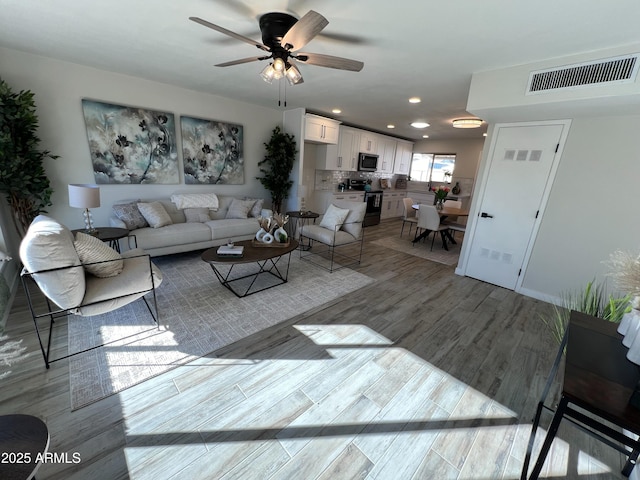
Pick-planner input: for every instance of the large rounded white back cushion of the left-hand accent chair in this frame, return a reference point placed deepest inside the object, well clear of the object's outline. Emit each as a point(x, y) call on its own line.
point(48, 245)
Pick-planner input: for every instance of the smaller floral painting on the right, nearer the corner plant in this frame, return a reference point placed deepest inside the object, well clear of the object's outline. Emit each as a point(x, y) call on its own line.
point(212, 152)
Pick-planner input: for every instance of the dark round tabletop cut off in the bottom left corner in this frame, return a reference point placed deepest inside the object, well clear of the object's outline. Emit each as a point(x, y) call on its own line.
point(24, 439)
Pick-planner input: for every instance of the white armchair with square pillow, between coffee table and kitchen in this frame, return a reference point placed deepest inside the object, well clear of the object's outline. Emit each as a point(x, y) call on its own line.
point(340, 245)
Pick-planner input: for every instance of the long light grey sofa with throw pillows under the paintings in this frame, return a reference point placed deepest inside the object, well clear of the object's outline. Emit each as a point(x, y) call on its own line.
point(191, 227)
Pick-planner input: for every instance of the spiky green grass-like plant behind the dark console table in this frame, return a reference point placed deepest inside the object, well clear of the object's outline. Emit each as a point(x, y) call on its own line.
point(593, 301)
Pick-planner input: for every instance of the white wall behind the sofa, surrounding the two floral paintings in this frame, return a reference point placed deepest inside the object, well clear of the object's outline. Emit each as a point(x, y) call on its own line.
point(60, 86)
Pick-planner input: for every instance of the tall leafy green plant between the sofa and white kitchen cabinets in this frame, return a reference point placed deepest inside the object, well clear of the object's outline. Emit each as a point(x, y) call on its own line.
point(277, 165)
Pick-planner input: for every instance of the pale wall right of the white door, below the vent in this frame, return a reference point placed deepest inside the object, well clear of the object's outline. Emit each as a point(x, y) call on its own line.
point(592, 208)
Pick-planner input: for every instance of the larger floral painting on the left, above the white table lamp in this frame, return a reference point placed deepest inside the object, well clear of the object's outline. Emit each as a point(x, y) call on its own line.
point(131, 145)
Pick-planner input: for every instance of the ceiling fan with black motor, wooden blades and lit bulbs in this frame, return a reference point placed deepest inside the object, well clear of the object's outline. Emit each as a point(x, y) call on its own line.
point(283, 36)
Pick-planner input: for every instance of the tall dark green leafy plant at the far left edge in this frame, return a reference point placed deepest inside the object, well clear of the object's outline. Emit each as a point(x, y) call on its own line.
point(22, 175)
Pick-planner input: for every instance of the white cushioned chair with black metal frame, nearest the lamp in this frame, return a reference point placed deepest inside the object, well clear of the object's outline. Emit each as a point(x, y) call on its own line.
point(51, 263)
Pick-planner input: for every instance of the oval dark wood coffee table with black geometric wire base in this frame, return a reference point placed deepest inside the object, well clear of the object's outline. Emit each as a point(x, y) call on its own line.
point(272, 267)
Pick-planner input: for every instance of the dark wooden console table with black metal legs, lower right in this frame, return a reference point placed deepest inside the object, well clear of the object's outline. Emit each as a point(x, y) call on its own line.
point(599, 380)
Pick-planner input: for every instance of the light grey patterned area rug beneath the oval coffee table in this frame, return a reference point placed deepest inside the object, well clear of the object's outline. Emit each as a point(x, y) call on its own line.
point(202, 316)
